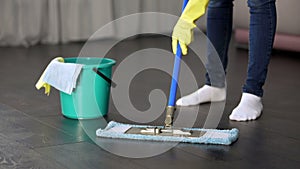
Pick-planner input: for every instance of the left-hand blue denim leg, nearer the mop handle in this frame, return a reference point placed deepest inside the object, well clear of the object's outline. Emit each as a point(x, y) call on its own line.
point(219, 28)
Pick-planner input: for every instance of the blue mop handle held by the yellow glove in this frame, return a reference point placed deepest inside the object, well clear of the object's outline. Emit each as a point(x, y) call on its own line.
point(176, 69)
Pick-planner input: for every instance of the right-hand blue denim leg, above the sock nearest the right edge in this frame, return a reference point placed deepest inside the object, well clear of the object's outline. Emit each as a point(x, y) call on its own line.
point(261, 37)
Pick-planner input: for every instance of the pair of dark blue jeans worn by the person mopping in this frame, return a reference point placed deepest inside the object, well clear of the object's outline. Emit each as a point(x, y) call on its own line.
point(261, 36)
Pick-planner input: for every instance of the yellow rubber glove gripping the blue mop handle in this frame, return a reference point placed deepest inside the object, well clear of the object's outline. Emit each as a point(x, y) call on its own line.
point(183, 30)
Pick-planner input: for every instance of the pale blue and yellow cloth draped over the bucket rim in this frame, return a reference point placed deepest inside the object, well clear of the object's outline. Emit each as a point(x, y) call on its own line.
point(60, 75)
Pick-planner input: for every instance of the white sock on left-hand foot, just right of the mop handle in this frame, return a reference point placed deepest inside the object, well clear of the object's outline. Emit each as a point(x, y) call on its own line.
point(203, 95)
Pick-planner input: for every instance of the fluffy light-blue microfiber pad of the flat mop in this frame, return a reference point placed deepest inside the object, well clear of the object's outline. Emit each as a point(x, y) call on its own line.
point(212, 136)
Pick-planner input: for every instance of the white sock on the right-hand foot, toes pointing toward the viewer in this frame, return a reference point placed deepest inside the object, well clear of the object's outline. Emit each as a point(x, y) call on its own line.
point(249, 108)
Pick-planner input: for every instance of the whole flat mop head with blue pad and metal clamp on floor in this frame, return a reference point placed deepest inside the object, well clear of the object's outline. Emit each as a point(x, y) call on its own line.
point(158, 133)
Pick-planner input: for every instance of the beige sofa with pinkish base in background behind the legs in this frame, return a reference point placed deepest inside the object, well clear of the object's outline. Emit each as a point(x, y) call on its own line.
point(288, 24)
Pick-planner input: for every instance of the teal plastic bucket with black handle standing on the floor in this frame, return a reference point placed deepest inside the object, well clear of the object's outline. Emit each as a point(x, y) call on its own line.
point(90, 98)
